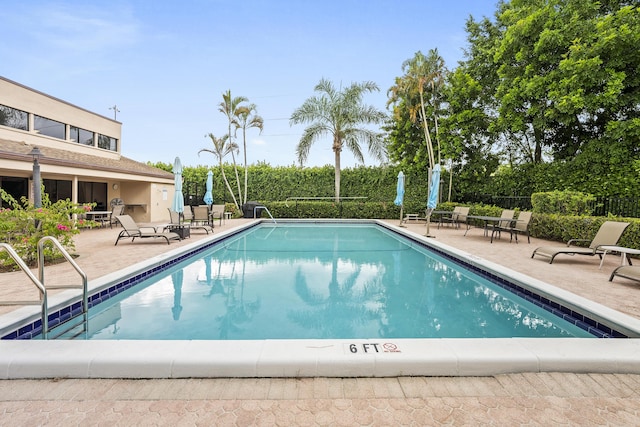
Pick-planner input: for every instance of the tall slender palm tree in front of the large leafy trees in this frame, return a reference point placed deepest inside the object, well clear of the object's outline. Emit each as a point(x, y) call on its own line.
point(421, 73)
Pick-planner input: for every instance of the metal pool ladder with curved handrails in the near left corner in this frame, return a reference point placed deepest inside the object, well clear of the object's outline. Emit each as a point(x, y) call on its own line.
point(39, 282)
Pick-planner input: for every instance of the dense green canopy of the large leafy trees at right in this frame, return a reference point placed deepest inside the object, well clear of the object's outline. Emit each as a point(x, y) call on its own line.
point(548, 87)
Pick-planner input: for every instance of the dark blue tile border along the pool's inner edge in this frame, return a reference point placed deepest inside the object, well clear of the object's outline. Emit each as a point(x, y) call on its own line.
point(597, 329)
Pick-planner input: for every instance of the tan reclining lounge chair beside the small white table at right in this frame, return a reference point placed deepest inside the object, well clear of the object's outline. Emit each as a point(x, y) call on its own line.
point(608, 235)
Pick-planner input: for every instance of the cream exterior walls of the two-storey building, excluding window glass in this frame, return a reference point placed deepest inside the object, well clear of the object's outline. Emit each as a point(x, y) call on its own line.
point(148, 196)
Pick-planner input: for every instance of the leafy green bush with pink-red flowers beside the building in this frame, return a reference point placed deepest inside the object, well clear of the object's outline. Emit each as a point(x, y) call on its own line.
point(22, 226)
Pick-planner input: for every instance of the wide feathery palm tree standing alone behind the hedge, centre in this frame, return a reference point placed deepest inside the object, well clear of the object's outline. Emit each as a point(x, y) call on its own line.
point(338, 113)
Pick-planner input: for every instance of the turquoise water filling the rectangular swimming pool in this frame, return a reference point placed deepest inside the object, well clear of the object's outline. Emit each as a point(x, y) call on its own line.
point(320, 281)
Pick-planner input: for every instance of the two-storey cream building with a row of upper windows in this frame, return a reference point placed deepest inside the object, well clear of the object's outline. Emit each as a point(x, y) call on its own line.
point(80, 156)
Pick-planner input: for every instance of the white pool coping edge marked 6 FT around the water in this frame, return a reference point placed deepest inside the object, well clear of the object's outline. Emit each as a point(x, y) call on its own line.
point(325, 358)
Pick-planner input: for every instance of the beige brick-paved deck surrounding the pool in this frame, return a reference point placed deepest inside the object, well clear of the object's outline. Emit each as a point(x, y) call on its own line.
point(508, 399)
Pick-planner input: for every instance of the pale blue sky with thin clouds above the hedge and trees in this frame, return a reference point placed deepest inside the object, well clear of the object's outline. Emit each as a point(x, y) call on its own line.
point(165, 65)
